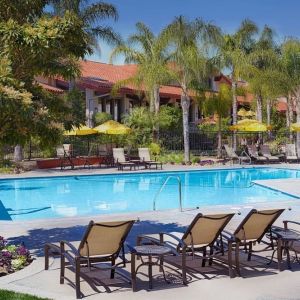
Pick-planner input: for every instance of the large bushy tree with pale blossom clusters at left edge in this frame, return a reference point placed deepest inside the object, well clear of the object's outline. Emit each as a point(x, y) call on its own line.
point(30, 48)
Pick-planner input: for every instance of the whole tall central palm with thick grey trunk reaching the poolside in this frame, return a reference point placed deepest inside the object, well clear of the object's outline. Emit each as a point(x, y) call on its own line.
point(190, 43)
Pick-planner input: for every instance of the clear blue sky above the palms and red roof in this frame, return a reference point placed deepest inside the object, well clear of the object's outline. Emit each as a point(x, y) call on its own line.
point(282, 16)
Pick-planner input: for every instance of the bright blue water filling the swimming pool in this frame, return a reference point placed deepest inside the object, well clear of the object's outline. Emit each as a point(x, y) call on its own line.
point(70, 196)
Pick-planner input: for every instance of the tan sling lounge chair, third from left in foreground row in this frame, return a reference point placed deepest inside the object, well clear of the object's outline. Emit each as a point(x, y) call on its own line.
point(250, 231)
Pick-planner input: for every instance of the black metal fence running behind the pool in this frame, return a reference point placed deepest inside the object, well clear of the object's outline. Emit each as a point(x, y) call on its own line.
point(201, 143)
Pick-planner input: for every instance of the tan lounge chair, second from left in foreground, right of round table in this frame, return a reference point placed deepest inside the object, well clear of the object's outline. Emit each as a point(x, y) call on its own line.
point(203, 232)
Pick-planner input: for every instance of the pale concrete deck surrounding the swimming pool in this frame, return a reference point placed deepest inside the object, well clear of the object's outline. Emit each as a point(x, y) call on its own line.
point(262, 283)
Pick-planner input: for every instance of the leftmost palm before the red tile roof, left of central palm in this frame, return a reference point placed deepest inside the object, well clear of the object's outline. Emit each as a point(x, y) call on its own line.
point(149, 53)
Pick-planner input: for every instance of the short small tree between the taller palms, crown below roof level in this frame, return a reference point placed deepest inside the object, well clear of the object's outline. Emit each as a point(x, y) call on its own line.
point(220, 104)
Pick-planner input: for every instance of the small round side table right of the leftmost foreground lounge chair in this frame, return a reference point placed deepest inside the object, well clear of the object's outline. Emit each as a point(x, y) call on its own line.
point(154, 255)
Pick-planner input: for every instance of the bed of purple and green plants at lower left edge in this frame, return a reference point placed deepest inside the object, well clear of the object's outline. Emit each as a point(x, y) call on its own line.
point(12, 257)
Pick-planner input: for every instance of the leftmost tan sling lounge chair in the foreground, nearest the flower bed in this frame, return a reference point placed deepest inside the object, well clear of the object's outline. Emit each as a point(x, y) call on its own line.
point(101, 243)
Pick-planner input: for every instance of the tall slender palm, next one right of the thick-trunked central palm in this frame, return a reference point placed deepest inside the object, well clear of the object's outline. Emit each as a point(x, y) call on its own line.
point(235, 48)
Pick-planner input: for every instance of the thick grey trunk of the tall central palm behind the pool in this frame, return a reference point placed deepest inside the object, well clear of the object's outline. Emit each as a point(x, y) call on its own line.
point(185, 105)
